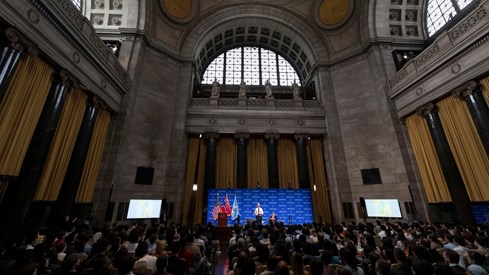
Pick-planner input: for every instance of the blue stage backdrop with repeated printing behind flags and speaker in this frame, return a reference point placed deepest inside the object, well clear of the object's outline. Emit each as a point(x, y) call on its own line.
point(292, 206)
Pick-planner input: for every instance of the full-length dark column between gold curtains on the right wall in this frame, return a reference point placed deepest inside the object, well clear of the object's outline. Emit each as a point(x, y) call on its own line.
point(454, 181)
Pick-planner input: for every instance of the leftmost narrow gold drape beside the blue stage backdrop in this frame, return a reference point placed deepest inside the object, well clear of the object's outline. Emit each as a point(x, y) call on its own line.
point(192, 155)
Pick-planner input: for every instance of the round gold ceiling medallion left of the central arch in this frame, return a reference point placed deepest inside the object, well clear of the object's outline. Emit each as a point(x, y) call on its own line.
point(180, 11)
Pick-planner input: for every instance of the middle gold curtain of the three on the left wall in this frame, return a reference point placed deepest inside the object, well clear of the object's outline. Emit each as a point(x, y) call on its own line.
point(63, 143)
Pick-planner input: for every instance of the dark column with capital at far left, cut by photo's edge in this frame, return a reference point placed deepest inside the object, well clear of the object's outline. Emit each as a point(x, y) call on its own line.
point(10, 57)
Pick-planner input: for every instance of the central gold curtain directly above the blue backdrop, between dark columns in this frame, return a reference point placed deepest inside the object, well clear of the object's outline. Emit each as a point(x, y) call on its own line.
point(257, 158)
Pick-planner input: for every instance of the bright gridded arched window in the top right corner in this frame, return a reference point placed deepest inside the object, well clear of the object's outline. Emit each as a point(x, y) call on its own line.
point(439, 12)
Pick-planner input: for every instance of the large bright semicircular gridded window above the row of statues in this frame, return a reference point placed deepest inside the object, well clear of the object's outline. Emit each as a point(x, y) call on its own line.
point(254, 65)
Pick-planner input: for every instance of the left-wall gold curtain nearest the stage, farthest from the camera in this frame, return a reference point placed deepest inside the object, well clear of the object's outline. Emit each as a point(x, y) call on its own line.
point(94, 157)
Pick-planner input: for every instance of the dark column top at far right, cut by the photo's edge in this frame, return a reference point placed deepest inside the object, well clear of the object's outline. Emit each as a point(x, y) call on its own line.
point(477, 104)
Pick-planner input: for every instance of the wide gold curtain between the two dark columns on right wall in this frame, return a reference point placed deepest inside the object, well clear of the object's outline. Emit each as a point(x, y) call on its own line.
point(466, 147)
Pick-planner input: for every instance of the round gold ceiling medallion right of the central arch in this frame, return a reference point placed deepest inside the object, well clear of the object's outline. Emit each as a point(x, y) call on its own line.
point(331, 14)
